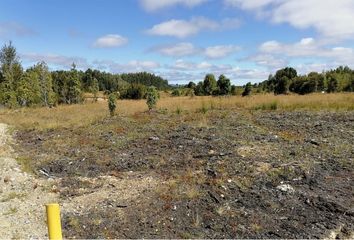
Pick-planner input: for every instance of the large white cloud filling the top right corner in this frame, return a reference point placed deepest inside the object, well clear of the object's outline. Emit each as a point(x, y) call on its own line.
point(332, 19)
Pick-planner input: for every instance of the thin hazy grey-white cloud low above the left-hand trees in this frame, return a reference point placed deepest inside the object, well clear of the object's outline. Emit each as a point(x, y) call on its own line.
point(56, 60)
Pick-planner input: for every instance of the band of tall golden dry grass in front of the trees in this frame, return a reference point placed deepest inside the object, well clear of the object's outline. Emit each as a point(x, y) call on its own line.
point(82, 115)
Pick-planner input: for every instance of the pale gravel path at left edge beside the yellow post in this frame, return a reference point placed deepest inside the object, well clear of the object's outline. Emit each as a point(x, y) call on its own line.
point(22, 196)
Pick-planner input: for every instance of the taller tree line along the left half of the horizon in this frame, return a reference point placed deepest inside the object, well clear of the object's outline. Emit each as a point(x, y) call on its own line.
point(38, 86)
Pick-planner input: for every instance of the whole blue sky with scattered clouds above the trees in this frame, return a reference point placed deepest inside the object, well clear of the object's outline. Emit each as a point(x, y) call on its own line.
point(182, 40)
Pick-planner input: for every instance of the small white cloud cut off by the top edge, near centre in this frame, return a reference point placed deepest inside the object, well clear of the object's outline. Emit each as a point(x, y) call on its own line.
point(154, 5)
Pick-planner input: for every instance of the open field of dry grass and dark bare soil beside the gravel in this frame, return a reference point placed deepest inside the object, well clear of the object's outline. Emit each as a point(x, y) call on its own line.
point(204, 167)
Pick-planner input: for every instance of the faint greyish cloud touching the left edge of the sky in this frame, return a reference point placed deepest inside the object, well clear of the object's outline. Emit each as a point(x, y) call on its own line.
point(11, 29)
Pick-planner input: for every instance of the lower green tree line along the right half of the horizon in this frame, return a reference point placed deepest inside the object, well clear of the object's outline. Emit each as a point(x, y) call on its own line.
point(284, 81)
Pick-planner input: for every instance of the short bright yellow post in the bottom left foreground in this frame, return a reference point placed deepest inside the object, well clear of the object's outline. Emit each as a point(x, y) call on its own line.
point(53, 221)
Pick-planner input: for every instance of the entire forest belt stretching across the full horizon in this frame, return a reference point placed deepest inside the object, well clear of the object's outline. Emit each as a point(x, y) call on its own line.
point(38, 86)
